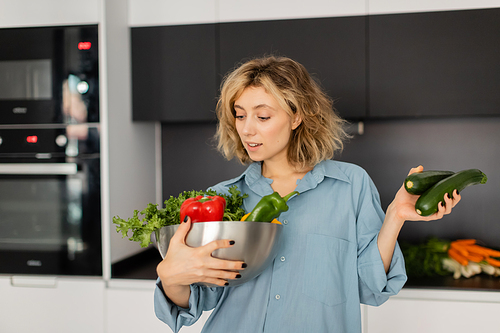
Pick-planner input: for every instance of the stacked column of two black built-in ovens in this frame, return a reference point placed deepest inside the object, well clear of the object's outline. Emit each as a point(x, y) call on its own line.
point(50, 188)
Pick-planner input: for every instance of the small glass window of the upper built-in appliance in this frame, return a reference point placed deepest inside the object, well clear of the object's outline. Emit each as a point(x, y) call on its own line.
point(26, 79)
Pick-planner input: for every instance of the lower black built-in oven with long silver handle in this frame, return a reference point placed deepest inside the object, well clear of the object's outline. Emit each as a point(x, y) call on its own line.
point(50, 220)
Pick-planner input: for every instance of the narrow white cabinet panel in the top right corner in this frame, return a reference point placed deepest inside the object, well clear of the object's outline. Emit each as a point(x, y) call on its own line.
point(395, 6)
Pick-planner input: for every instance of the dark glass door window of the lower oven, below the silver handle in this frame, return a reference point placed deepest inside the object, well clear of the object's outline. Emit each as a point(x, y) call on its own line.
point(41, 214)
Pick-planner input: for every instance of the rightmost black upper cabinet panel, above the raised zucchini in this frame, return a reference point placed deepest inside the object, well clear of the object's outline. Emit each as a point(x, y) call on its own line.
point(434, 64)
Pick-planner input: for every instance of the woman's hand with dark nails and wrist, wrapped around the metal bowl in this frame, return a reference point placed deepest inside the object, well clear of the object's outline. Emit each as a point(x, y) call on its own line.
point(184, 265)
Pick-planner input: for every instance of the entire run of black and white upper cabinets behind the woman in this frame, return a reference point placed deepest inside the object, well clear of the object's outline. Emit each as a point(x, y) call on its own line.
point(436, 62)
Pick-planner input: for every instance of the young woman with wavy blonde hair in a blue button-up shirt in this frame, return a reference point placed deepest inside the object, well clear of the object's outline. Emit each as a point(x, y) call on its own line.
point(338, 249)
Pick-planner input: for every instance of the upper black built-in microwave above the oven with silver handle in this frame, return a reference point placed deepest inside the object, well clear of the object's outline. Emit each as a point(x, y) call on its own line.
point(49, 75)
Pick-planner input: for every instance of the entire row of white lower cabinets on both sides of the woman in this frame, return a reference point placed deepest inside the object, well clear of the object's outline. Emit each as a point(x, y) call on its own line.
point(41, 304)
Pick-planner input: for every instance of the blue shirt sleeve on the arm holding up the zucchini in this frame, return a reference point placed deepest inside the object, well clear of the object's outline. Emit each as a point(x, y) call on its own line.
point(375, 286)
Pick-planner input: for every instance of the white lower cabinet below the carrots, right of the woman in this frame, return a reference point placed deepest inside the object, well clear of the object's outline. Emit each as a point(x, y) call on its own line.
point(435, 311)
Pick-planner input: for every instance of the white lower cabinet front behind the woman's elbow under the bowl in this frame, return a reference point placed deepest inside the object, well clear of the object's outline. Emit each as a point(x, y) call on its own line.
point(130, 308)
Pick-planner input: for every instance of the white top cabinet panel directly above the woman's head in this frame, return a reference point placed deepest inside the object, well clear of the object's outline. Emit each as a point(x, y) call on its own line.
point(234, 11)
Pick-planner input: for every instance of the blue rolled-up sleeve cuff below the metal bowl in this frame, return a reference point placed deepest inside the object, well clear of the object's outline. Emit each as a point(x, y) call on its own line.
point(201, 299)
